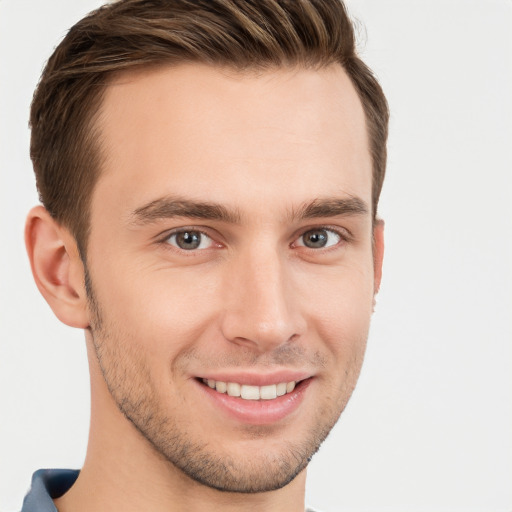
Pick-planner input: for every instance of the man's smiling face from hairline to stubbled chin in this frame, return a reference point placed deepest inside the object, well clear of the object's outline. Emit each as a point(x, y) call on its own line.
point(231, 252)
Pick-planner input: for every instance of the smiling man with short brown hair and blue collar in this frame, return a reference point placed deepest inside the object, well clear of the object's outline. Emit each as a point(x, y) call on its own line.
point(210, 174)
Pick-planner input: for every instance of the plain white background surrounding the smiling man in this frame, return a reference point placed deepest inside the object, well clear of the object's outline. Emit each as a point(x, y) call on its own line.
point(430, 425)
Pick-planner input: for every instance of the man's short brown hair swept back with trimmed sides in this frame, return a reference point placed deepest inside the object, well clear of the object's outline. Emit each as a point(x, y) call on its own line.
point(243, 34)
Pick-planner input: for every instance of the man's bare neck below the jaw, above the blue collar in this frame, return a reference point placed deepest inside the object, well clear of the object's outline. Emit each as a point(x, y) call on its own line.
point(127, 473)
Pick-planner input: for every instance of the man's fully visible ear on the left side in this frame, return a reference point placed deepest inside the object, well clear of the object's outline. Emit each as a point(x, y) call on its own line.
point(57, 268)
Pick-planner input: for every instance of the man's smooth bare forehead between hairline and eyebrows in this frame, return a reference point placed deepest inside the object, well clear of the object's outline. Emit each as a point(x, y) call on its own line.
point(283, 135)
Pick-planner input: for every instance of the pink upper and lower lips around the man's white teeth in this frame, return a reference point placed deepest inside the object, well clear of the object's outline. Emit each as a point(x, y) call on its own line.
point(256, 412)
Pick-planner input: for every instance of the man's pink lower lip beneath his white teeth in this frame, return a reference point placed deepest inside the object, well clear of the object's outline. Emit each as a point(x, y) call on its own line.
point(258, 412)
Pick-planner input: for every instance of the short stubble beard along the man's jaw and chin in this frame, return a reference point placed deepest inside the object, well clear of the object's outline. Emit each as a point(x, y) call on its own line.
point(128, 379)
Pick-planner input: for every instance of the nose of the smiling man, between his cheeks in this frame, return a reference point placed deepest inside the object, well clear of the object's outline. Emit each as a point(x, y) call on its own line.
point(262, 310)
